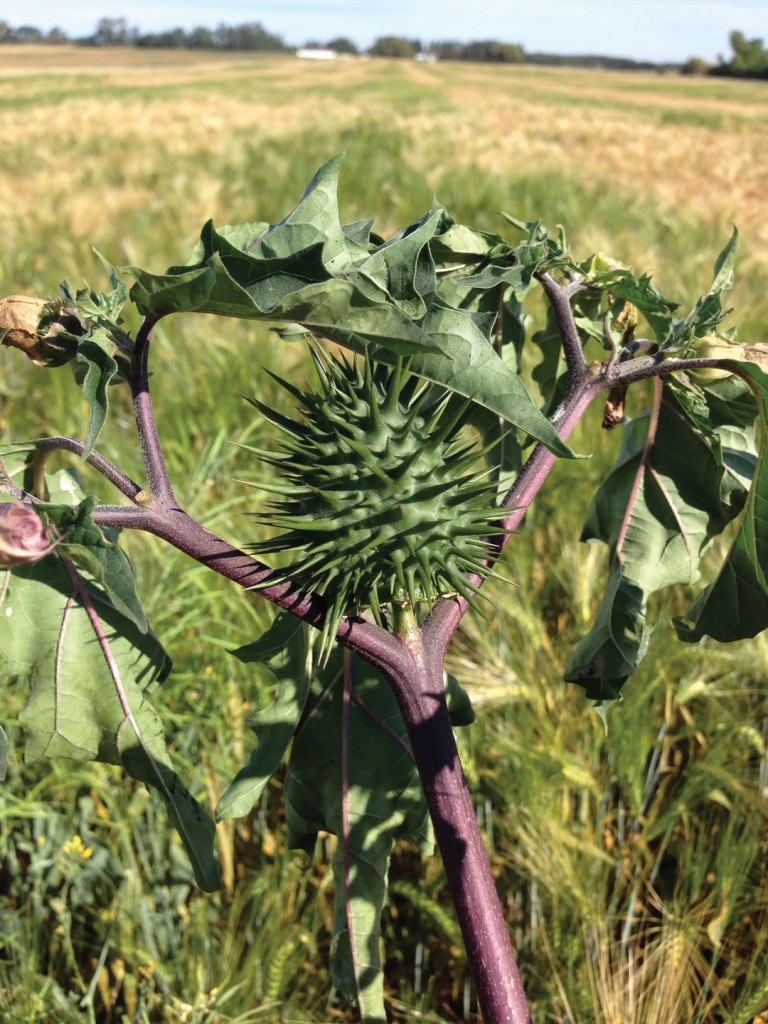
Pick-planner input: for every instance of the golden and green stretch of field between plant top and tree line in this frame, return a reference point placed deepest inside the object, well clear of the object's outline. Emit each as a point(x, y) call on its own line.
point(100, 144)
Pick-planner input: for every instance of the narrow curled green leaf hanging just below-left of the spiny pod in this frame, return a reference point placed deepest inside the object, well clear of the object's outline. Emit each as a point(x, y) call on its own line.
point(285, 649)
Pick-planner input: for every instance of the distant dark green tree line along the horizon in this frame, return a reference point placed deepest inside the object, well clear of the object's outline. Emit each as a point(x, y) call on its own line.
point(750, 57)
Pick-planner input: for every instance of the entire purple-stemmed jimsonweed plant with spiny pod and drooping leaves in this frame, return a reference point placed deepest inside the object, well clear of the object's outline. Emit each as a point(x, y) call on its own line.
point(386, 501)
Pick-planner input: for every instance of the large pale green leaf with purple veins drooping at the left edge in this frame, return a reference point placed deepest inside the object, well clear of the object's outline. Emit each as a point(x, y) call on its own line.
point(89, 669)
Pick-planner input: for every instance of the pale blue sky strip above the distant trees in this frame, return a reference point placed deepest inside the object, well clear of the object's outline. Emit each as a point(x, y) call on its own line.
point(654, 30)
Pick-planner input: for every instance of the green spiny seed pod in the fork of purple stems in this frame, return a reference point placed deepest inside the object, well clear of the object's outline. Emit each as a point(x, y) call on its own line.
point(381, 501)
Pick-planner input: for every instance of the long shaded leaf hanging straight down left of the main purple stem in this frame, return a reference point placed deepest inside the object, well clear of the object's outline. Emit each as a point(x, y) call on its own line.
point(352, 774)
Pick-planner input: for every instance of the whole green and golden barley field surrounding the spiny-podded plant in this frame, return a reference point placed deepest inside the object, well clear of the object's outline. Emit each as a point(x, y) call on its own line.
point(633, 864)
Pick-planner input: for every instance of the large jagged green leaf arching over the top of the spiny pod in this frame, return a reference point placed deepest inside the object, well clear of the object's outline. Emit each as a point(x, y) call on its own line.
point(311, 272)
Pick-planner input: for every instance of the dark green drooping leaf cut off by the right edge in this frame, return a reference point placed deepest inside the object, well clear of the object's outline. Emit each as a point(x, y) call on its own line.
point(736, 606)
